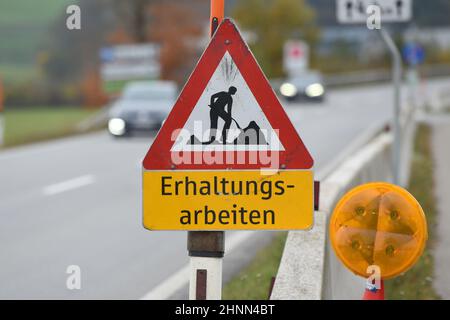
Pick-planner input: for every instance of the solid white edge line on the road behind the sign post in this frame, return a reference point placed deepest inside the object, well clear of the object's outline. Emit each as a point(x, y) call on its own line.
point(179, 279)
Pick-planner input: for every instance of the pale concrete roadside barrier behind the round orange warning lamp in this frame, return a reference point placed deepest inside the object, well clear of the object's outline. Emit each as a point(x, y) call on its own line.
point(309, 269)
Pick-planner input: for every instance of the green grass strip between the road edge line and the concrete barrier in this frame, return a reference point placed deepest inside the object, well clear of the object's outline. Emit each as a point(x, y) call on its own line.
point(253, 282)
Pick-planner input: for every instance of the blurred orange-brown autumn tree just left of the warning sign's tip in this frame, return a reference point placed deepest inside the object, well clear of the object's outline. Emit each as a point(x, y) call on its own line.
point(176, 26)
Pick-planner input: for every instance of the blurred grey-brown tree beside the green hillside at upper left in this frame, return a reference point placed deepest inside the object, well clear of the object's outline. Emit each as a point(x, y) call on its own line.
point(71, 56)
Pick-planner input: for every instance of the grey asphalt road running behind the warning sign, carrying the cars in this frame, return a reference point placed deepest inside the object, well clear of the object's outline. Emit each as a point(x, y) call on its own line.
point(77, 201)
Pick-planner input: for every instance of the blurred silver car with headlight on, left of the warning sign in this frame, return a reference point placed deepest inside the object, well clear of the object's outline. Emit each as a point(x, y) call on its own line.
point(142, 106)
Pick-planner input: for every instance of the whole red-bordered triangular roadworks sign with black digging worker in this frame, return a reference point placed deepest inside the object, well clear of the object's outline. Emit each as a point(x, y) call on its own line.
point(227, 116)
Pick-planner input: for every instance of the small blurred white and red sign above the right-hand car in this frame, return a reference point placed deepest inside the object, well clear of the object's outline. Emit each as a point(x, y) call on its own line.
point(295, 57)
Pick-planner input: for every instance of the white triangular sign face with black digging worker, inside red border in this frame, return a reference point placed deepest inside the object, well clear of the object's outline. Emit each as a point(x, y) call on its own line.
point(227, 102)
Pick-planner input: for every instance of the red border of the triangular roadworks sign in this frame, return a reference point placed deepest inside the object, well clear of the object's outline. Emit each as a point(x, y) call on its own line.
point(228, 38)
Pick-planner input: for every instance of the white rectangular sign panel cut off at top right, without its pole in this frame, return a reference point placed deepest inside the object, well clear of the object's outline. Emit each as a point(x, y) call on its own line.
point(355, 11)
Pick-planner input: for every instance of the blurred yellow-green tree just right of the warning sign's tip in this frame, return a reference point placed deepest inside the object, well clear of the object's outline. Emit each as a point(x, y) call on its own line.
point(273, 22)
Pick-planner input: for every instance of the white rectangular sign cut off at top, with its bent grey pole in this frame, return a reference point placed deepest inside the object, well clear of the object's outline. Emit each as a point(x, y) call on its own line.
point(358, 12)
